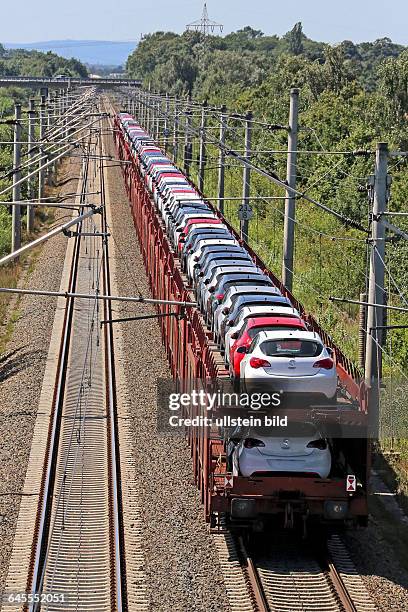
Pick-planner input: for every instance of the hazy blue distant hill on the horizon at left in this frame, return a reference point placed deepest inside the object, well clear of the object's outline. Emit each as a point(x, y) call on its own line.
point(98, 52)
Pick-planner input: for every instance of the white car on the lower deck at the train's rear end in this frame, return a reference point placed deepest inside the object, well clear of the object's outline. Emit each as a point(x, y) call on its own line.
point(299, 449)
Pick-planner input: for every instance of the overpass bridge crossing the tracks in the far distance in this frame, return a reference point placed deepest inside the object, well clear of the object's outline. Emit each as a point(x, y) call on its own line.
point(65, 83)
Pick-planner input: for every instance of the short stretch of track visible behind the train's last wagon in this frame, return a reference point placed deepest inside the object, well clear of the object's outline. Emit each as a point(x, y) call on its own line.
point(286, 576)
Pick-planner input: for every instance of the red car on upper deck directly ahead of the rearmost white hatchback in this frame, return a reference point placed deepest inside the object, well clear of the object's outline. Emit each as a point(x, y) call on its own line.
point(253, 326)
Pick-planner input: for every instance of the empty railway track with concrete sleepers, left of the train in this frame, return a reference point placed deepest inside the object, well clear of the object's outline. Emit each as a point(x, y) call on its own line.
point(78, 560)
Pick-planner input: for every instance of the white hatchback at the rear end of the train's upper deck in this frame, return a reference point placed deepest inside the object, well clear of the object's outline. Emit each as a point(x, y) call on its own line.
point(290, 362)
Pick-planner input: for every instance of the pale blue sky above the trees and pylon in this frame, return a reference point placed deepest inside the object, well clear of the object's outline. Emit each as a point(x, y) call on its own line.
point(324, 20)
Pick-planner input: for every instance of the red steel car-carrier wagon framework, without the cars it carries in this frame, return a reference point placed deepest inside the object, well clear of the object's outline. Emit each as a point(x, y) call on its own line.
point(193, 357)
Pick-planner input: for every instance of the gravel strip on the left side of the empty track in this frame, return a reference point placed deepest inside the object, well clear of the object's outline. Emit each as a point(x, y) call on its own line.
point(22, 369)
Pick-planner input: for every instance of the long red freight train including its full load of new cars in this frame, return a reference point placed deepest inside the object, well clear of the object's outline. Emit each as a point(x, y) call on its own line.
point(248, 333)
